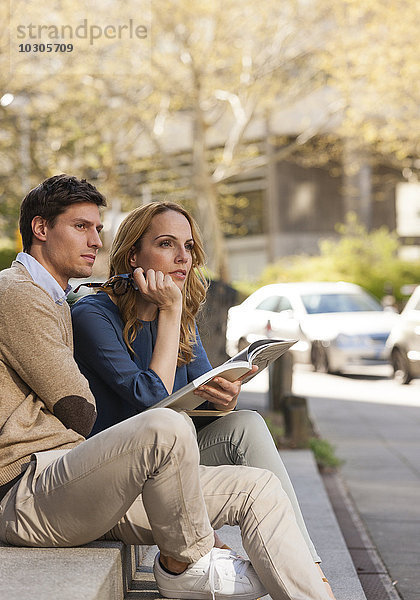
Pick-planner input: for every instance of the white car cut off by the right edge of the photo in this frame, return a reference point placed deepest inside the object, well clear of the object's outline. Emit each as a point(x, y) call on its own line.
point(403, 343)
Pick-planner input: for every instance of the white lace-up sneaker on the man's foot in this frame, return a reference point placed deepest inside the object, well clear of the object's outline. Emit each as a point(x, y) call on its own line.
point(218, 575)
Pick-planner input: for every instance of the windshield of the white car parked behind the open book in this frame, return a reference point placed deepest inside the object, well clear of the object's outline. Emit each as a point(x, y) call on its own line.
point(326, 303)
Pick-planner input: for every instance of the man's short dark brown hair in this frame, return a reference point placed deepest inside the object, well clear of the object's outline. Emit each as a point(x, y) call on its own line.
point(51, 198)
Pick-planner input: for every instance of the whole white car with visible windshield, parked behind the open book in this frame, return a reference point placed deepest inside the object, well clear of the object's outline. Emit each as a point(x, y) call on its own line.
point(337, 324)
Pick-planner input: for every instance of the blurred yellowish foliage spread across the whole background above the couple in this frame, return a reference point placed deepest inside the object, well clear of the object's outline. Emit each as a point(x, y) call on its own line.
point(216, 70)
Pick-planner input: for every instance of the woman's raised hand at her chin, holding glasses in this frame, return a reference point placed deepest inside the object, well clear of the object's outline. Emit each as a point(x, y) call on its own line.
point(159, 289)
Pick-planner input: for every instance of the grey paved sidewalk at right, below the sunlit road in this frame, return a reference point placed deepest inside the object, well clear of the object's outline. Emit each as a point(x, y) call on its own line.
point(380, 446)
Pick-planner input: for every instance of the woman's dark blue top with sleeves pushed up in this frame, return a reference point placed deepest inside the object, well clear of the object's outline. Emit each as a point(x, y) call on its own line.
point(122, 382)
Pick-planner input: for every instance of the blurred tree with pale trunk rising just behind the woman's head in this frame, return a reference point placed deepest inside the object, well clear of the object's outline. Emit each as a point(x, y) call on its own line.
point(220, 66)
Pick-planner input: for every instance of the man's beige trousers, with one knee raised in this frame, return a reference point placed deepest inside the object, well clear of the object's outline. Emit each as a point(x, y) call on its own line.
point(140, 482)
